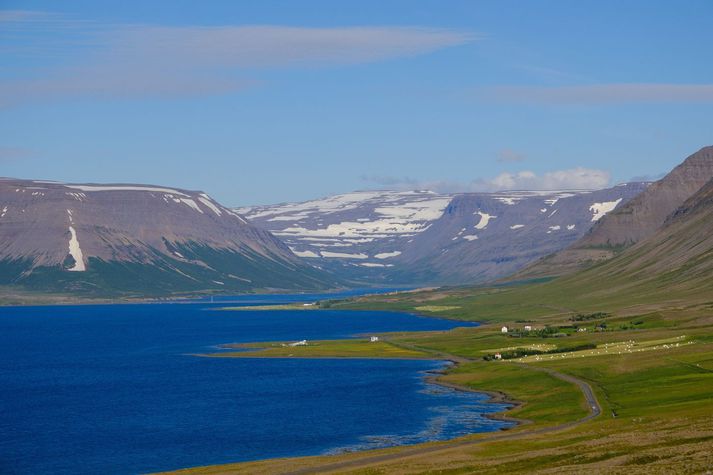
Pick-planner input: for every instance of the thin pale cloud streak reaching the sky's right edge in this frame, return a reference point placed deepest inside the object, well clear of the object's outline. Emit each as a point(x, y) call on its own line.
point(602, 93)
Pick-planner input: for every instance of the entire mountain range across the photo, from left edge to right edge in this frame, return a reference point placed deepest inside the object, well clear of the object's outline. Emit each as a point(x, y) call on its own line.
point(147, 240)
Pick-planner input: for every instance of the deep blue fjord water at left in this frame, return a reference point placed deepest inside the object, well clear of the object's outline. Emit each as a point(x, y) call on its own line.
point(113, 389)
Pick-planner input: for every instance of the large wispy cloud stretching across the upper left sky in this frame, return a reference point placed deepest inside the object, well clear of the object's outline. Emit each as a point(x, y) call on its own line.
point(139, 60)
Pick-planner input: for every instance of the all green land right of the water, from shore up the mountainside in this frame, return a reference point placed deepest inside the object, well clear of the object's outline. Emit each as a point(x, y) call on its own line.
point(610, 364)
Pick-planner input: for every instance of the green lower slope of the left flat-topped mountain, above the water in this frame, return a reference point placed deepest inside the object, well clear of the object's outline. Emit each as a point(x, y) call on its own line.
point(204, 270)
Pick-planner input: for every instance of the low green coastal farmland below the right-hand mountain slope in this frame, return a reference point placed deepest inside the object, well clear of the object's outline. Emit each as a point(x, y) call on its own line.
point(650, 366)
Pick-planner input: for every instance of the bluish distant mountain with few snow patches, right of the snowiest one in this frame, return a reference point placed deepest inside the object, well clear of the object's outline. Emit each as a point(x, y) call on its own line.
point(483, 237)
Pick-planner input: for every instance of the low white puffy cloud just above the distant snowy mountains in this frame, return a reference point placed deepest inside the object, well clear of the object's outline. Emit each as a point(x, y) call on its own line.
point(575, 178)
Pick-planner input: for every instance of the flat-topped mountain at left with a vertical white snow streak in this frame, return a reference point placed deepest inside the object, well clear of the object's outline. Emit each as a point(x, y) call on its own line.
point(139, 239)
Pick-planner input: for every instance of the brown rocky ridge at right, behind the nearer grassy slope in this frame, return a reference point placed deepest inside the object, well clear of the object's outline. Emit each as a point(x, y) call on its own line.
point(638, 219)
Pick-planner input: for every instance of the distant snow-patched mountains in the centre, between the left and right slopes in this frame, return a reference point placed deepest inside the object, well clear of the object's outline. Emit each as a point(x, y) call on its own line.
point(420, 237)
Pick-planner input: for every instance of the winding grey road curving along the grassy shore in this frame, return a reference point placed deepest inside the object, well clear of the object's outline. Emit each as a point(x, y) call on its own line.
point(592, 405)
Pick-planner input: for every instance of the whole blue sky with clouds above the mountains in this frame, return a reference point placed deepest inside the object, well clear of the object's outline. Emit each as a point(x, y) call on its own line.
point(273, 101)
